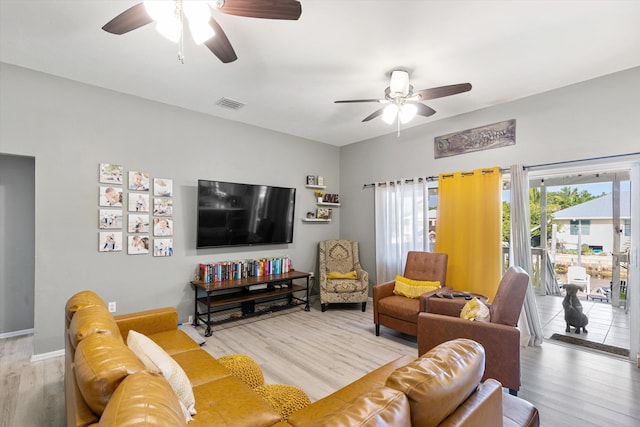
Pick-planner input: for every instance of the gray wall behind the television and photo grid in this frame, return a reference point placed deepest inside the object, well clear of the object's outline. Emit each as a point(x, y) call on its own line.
point(70, 128)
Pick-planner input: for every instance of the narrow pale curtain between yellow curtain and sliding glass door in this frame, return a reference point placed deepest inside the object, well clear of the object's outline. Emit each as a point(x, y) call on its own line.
point(520, 254)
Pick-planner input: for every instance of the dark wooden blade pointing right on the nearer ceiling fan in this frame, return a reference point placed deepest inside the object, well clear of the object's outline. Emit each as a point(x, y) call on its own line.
point(267, 9)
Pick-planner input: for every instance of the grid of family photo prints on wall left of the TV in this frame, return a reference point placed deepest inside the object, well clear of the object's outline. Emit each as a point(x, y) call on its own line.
point(129, 208)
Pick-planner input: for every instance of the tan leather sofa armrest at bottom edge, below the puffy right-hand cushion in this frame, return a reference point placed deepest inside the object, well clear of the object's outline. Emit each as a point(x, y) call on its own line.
point(482, 408)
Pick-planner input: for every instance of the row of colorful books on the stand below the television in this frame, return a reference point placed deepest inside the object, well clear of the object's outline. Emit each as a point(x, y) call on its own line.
point(235, 270)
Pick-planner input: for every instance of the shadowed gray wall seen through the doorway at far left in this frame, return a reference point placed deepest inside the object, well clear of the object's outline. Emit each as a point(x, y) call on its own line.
point(17, 234)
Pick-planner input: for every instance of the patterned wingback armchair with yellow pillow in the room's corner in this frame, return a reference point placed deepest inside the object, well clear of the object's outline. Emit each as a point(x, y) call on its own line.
point(340, 257)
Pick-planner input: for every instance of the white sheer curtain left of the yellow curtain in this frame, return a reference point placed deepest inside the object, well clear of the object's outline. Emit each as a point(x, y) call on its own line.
point(402, 224)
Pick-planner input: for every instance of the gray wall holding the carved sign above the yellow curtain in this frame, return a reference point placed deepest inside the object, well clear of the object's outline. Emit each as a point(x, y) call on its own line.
point(600, 117)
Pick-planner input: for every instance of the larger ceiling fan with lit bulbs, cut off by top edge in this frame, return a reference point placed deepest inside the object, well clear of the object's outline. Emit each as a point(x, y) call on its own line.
point(170, 18)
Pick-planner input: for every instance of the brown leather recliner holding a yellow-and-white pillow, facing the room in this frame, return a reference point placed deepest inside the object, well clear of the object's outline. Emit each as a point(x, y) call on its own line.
point(399, 312)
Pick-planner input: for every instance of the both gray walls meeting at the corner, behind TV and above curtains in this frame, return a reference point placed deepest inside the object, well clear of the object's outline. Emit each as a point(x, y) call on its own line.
point(70, 128)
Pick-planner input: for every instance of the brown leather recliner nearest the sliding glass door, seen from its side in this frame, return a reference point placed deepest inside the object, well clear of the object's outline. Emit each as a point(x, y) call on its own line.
point(499, 337)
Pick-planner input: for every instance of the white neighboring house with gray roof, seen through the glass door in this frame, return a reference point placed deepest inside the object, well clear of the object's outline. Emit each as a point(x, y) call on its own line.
point(591, 223)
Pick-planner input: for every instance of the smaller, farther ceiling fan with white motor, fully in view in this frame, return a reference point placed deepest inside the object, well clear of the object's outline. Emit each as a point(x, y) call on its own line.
point(404, 103)
